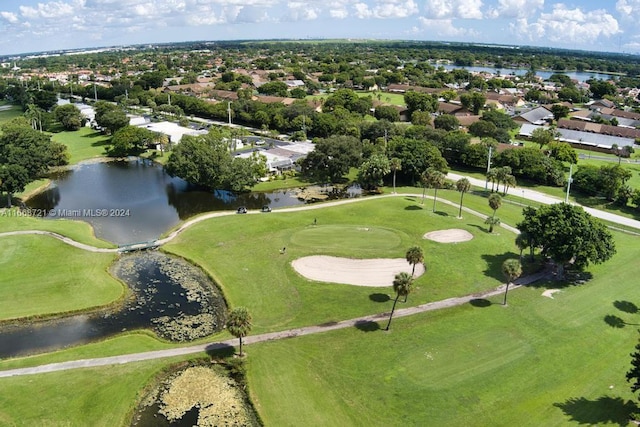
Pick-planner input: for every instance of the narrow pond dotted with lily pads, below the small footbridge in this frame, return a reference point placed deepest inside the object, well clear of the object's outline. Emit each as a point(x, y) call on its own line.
point(170, 296)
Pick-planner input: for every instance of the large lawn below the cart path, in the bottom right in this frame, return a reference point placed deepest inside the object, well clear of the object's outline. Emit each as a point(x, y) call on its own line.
point(538, 361)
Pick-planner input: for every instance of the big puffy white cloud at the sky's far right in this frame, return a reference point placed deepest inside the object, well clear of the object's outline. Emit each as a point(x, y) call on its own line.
point(569, 26)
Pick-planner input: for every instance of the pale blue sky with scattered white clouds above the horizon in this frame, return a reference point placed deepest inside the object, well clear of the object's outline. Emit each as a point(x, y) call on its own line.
point(44, 25)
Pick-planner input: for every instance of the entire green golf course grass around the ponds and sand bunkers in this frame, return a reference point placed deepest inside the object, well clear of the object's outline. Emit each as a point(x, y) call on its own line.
point(543, 359)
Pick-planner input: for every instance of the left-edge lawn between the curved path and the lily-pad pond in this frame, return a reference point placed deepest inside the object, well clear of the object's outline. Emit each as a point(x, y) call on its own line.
point(43, 276)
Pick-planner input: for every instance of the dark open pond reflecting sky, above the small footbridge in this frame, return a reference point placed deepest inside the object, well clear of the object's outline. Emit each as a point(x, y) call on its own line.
point(136, 201)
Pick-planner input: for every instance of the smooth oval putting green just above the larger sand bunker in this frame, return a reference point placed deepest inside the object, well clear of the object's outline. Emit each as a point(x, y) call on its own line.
point(356, 237)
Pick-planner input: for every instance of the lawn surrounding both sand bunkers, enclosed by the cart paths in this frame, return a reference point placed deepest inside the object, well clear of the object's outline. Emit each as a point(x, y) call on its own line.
point(242, 253)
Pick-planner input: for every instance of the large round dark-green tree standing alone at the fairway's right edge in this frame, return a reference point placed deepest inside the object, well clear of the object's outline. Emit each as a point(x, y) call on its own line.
point(567, 234)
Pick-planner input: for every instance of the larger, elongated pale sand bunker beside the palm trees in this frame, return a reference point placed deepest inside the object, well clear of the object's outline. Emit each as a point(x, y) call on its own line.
point(359, 272)
